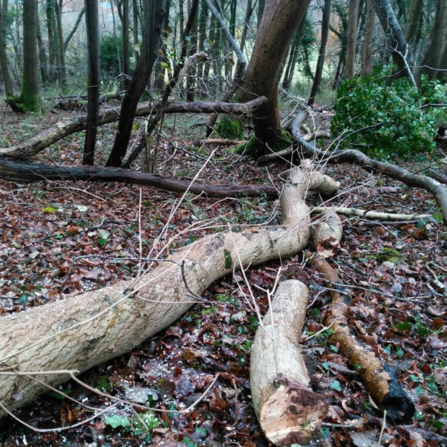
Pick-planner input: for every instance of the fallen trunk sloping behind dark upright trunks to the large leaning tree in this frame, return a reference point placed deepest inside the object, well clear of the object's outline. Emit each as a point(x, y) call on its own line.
point(69, 126)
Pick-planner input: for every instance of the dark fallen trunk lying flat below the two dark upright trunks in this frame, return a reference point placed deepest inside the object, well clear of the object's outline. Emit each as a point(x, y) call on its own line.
point(24, 172)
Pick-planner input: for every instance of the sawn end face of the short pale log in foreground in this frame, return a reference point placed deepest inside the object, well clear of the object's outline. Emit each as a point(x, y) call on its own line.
point(292, 415)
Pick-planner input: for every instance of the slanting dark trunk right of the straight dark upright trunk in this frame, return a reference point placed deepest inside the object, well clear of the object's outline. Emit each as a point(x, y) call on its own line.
point(153, 13)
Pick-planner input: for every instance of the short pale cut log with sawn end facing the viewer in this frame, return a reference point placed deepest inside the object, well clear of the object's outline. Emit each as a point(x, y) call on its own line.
point(287, 409)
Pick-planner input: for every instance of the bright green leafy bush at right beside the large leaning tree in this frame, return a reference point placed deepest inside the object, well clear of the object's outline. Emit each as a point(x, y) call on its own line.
point(384, 120)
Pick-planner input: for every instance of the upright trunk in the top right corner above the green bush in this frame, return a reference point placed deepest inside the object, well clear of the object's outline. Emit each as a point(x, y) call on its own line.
point(433, 55)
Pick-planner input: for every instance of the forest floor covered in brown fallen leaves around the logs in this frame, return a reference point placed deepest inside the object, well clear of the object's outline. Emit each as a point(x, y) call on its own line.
point(59, 239)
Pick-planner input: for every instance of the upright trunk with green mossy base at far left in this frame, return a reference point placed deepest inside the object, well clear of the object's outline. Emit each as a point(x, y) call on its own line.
point(29, 97)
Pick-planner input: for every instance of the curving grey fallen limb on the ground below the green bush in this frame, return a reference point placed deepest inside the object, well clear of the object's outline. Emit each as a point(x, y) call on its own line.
point(438, 190)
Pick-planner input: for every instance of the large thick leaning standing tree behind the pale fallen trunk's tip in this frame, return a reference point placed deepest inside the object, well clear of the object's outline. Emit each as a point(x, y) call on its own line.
point(279, 22)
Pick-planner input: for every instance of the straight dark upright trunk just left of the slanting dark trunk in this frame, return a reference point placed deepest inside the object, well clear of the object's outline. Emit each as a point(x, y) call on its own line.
point(92, 25)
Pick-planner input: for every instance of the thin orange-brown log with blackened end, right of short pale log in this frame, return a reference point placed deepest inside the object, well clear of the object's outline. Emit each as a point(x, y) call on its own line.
point(381, 380)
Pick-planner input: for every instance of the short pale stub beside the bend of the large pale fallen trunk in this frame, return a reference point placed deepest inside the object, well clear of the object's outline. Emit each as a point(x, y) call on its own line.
point(327, 233)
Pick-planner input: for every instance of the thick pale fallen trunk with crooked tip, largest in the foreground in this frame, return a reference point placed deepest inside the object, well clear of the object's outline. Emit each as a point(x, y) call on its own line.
point(83, 331)
